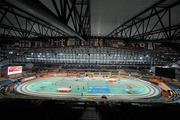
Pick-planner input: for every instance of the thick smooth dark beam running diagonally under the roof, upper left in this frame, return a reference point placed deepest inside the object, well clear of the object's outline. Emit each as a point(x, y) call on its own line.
point(36, 8)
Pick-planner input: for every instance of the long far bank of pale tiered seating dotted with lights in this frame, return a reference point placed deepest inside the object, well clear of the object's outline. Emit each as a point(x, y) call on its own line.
point(89, 55)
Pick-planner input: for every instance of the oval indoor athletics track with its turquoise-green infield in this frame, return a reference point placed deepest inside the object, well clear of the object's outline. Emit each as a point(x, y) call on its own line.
point(82, 88)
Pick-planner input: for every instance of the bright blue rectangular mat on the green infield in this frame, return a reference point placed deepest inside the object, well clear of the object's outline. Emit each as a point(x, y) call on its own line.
point(98, 90)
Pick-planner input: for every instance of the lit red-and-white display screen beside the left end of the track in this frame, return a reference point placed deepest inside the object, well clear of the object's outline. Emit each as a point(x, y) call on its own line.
point(14, 70)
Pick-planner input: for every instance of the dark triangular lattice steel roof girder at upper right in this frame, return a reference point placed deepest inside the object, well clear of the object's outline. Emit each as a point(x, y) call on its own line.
point(146, 24)
